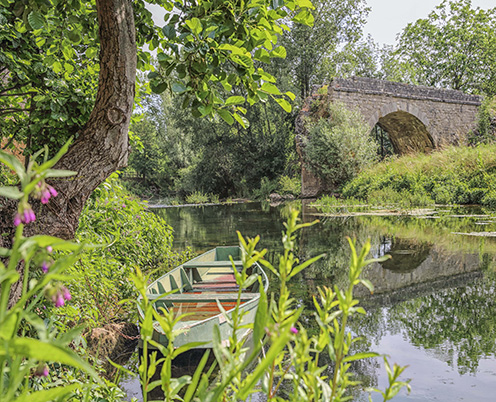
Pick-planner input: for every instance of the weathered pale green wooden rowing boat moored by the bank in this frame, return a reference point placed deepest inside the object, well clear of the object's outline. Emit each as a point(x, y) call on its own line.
point(199, 284)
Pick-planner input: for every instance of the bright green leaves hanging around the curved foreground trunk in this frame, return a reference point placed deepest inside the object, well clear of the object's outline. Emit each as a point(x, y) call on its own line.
point(50, 59)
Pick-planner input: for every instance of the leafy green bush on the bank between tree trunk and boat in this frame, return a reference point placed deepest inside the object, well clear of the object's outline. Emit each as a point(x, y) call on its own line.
point(128, 236)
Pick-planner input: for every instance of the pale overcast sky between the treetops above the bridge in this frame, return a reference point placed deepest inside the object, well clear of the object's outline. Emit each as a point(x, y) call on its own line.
point(388, 17)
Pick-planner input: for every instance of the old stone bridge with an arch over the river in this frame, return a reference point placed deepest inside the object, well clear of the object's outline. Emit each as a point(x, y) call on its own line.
point(416, 118)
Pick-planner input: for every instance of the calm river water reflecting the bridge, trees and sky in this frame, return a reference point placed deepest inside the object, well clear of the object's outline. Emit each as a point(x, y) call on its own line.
point(434, 305)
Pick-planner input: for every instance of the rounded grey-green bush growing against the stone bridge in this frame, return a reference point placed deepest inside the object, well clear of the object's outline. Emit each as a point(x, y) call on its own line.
point(340, 147)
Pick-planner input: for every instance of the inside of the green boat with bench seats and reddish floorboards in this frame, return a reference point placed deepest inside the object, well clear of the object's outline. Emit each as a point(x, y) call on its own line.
point(198, 284)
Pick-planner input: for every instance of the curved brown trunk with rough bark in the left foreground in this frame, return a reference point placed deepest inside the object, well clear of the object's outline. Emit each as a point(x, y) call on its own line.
point(102, 146)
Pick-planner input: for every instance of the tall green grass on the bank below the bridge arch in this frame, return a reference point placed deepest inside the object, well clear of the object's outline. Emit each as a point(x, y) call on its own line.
point(455, 175)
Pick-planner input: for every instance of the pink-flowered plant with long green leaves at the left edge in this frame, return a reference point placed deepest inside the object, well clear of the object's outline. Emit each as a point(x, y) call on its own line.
point(29, 263)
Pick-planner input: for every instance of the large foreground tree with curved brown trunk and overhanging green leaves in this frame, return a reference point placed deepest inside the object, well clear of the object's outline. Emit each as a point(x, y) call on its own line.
point(211, 52)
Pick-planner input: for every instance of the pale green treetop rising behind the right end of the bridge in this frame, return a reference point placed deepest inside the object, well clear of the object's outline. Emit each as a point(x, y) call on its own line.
point(455, 48)
